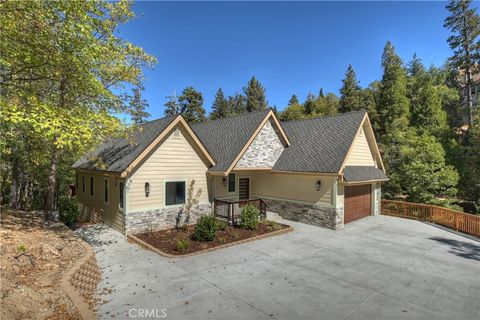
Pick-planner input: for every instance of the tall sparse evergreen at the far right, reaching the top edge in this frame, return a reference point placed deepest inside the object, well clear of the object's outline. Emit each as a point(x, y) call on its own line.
point(464, 22)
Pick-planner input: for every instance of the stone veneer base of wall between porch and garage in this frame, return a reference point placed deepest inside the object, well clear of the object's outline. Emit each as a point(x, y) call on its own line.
point(326, 217)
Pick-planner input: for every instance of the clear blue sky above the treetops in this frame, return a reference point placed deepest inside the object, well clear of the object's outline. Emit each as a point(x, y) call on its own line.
point(291, 47)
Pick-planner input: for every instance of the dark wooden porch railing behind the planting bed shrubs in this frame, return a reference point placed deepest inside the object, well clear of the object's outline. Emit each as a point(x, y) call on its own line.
point(230, 210)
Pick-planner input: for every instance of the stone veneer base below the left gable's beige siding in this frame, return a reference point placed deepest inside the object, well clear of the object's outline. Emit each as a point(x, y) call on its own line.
point(157, 219)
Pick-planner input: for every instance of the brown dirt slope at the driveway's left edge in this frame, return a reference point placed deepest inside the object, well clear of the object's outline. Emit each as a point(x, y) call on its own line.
point(33, 256)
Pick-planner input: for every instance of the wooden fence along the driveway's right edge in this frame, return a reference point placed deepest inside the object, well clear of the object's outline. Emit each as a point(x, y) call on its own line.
point(457, 220)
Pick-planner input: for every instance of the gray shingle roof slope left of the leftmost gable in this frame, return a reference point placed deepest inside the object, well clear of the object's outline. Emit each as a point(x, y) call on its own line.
point(116, 154)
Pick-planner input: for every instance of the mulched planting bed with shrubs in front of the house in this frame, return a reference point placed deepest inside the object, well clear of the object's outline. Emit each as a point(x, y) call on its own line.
point(182, 241)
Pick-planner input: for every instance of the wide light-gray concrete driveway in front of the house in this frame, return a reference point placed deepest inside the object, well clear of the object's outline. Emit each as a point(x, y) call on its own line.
point(375, 268)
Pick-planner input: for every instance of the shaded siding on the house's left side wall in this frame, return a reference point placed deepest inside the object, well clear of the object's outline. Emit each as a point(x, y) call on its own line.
point(109, 212)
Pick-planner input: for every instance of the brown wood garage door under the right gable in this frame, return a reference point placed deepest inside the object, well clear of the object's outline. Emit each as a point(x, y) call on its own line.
point(358, 202)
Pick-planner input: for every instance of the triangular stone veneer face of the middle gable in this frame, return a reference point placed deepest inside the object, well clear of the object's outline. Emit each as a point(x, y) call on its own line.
point(264, 150)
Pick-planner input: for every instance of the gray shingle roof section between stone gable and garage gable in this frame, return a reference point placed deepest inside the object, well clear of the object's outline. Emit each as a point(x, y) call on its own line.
point(320, 144)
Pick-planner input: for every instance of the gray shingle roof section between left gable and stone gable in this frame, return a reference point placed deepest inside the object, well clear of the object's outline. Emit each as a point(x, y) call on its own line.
point(225, 138)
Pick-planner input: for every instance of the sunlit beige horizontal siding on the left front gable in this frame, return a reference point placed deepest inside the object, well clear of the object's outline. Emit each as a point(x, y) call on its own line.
point(174, 159)
